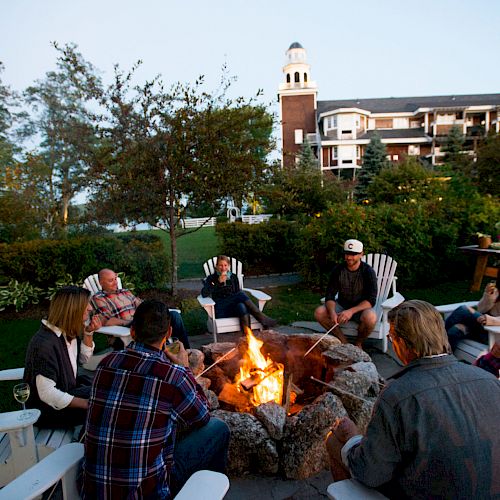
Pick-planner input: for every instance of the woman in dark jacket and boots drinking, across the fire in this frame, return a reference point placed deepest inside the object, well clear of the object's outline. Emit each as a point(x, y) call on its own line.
point(224, 288)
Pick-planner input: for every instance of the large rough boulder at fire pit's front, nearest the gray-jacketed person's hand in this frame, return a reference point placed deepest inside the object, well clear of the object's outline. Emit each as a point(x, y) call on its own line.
point(303, 452)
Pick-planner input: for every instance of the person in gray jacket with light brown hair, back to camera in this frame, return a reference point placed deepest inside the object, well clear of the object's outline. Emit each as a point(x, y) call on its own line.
point(434, 428)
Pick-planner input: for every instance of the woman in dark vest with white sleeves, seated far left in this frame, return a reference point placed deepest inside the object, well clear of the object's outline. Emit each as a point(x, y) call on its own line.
point(63, 340)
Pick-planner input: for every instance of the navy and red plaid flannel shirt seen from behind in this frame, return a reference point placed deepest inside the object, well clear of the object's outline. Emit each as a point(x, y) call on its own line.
point(138, 398)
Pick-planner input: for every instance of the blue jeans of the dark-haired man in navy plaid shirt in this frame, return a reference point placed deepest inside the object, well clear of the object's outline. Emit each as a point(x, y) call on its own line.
point(204, 448)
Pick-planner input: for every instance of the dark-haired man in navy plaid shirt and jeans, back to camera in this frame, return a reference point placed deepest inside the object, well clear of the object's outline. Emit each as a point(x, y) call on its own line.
point(141, 397)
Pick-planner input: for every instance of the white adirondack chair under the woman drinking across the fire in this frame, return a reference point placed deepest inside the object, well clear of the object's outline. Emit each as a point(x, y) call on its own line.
point(224, 325)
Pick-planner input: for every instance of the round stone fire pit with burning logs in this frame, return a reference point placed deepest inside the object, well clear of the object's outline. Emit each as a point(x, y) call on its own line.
point(279, 404)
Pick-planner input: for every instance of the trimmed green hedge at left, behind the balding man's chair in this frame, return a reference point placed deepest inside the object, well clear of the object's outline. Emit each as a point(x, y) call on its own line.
point(141, 256)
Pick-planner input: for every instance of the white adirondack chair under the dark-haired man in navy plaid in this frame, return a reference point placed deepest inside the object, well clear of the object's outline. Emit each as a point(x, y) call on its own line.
point(63, 465)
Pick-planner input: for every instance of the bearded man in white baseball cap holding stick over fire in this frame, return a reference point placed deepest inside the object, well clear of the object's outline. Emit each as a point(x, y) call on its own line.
point(355, 283)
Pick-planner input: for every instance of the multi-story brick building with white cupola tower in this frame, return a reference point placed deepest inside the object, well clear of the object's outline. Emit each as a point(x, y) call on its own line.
point(339, 130)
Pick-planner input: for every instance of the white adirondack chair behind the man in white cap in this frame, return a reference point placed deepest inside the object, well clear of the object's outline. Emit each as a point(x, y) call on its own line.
point(385, 269)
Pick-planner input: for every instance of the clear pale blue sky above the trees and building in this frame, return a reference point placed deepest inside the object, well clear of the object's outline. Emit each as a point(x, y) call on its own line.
point(356, 49)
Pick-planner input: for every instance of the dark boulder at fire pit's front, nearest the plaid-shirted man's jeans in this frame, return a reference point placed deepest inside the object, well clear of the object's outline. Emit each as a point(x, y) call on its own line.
point(251, 449)
